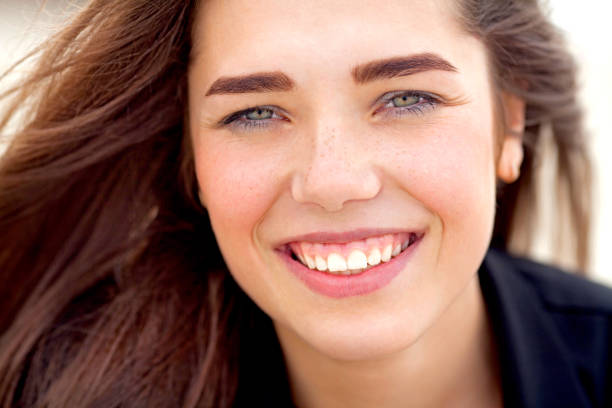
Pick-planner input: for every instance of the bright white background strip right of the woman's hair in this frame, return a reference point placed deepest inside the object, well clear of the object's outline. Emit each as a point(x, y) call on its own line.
point(588, 29)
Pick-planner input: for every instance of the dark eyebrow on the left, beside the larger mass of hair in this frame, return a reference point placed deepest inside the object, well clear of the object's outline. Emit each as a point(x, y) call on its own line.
point(258, 82)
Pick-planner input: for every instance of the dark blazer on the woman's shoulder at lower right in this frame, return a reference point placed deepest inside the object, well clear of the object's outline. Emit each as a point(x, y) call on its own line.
point(554, 334)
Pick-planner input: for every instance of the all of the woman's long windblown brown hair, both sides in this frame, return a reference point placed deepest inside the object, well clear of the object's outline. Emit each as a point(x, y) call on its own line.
point(113, 291)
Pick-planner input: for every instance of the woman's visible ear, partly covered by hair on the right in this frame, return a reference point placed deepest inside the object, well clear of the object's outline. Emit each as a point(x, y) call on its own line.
point(511, 154)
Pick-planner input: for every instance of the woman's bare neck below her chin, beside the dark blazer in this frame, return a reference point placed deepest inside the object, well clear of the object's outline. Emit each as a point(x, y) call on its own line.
point(453, 363)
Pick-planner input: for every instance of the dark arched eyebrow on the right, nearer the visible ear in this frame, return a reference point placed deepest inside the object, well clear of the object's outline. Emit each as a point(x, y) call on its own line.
point(400, 66)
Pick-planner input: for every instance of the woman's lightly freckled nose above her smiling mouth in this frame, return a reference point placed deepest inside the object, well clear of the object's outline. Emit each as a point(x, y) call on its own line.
point(337, 168)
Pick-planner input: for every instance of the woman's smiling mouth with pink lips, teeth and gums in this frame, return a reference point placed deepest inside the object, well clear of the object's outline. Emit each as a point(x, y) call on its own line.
point(341, 269)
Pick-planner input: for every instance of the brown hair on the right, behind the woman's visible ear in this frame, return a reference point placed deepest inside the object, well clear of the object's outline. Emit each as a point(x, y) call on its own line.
point(529, 58)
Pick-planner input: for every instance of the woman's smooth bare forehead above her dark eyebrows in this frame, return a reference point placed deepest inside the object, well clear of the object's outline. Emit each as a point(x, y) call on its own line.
point(238, 36)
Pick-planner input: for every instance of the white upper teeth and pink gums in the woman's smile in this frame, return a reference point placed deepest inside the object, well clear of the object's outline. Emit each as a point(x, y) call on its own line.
point(357, 261)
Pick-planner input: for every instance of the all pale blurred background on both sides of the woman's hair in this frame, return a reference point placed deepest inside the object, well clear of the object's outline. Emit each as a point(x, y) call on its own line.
point(586, 24)
